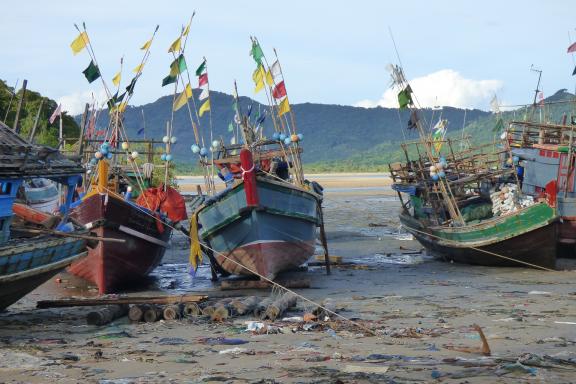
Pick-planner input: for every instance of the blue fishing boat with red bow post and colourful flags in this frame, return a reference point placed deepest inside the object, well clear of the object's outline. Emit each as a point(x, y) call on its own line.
point(265, 221)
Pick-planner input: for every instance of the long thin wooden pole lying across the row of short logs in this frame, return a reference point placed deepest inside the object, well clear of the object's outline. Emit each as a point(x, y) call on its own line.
point(191, 298)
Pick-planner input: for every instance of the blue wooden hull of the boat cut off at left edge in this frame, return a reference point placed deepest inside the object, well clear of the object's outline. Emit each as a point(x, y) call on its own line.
point(26, 264)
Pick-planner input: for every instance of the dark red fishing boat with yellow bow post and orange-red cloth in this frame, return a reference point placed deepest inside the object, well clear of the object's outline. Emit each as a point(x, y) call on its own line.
point(109, 206)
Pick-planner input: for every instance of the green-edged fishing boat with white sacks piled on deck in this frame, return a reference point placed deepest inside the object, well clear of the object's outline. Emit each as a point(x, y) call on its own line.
point(467, 206)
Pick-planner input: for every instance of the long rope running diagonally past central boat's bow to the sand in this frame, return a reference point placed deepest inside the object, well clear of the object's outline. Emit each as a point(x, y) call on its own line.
point(275, 284)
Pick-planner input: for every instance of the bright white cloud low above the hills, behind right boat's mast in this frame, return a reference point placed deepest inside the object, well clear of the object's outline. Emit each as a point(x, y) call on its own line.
point(443, 88)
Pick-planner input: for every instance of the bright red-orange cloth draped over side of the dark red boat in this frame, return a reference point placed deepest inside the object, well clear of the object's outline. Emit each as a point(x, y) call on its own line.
point(170, 202)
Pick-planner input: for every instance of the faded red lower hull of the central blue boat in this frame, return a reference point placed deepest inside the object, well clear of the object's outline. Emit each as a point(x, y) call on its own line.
point(267, 258)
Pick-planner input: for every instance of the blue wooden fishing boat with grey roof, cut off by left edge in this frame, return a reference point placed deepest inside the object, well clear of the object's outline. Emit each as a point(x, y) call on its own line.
point(29, 257)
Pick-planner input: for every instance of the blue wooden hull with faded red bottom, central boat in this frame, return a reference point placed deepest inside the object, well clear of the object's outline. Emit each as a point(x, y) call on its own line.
point(277, 235)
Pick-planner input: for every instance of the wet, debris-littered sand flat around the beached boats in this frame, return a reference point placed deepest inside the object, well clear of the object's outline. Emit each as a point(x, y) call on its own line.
point(420, 310)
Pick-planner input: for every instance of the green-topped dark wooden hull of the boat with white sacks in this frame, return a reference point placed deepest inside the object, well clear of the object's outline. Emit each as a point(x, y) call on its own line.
point(528, 236)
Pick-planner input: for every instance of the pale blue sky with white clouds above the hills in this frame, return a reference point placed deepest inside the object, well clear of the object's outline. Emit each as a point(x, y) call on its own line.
point(456, 53)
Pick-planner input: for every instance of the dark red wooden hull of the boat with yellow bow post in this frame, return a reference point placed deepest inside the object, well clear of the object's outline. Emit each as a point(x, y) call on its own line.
point(112, 266)
